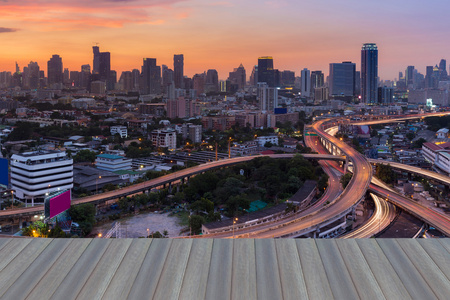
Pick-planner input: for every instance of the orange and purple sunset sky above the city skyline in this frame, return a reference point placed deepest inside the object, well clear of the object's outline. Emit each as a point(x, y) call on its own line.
point(222, 34)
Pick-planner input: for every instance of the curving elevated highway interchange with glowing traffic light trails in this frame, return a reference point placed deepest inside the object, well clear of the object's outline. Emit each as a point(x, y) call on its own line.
point(335, 202)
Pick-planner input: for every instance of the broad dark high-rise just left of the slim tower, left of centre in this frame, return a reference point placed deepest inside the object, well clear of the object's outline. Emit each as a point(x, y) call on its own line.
point(150, 82)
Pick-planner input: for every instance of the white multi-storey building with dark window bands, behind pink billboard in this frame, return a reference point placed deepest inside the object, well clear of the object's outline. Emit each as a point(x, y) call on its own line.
point(35, 174)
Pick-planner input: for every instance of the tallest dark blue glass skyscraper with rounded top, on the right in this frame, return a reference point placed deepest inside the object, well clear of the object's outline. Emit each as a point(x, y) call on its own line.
point(369, 73)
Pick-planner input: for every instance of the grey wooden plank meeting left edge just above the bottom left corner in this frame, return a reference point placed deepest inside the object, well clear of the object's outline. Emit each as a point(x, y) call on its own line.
point(21, 262)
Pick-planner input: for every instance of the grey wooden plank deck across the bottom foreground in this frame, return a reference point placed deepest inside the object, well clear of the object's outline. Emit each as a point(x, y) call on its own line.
point(224, 269)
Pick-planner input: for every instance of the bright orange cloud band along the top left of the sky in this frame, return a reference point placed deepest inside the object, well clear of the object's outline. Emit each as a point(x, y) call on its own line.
point(63, 15)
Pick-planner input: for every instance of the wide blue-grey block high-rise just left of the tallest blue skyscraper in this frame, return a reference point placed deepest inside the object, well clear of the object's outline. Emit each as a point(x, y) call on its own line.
point(342, 79)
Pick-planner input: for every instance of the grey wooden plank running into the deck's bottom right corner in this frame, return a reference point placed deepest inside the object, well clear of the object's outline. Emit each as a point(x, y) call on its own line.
point(430, 272)
